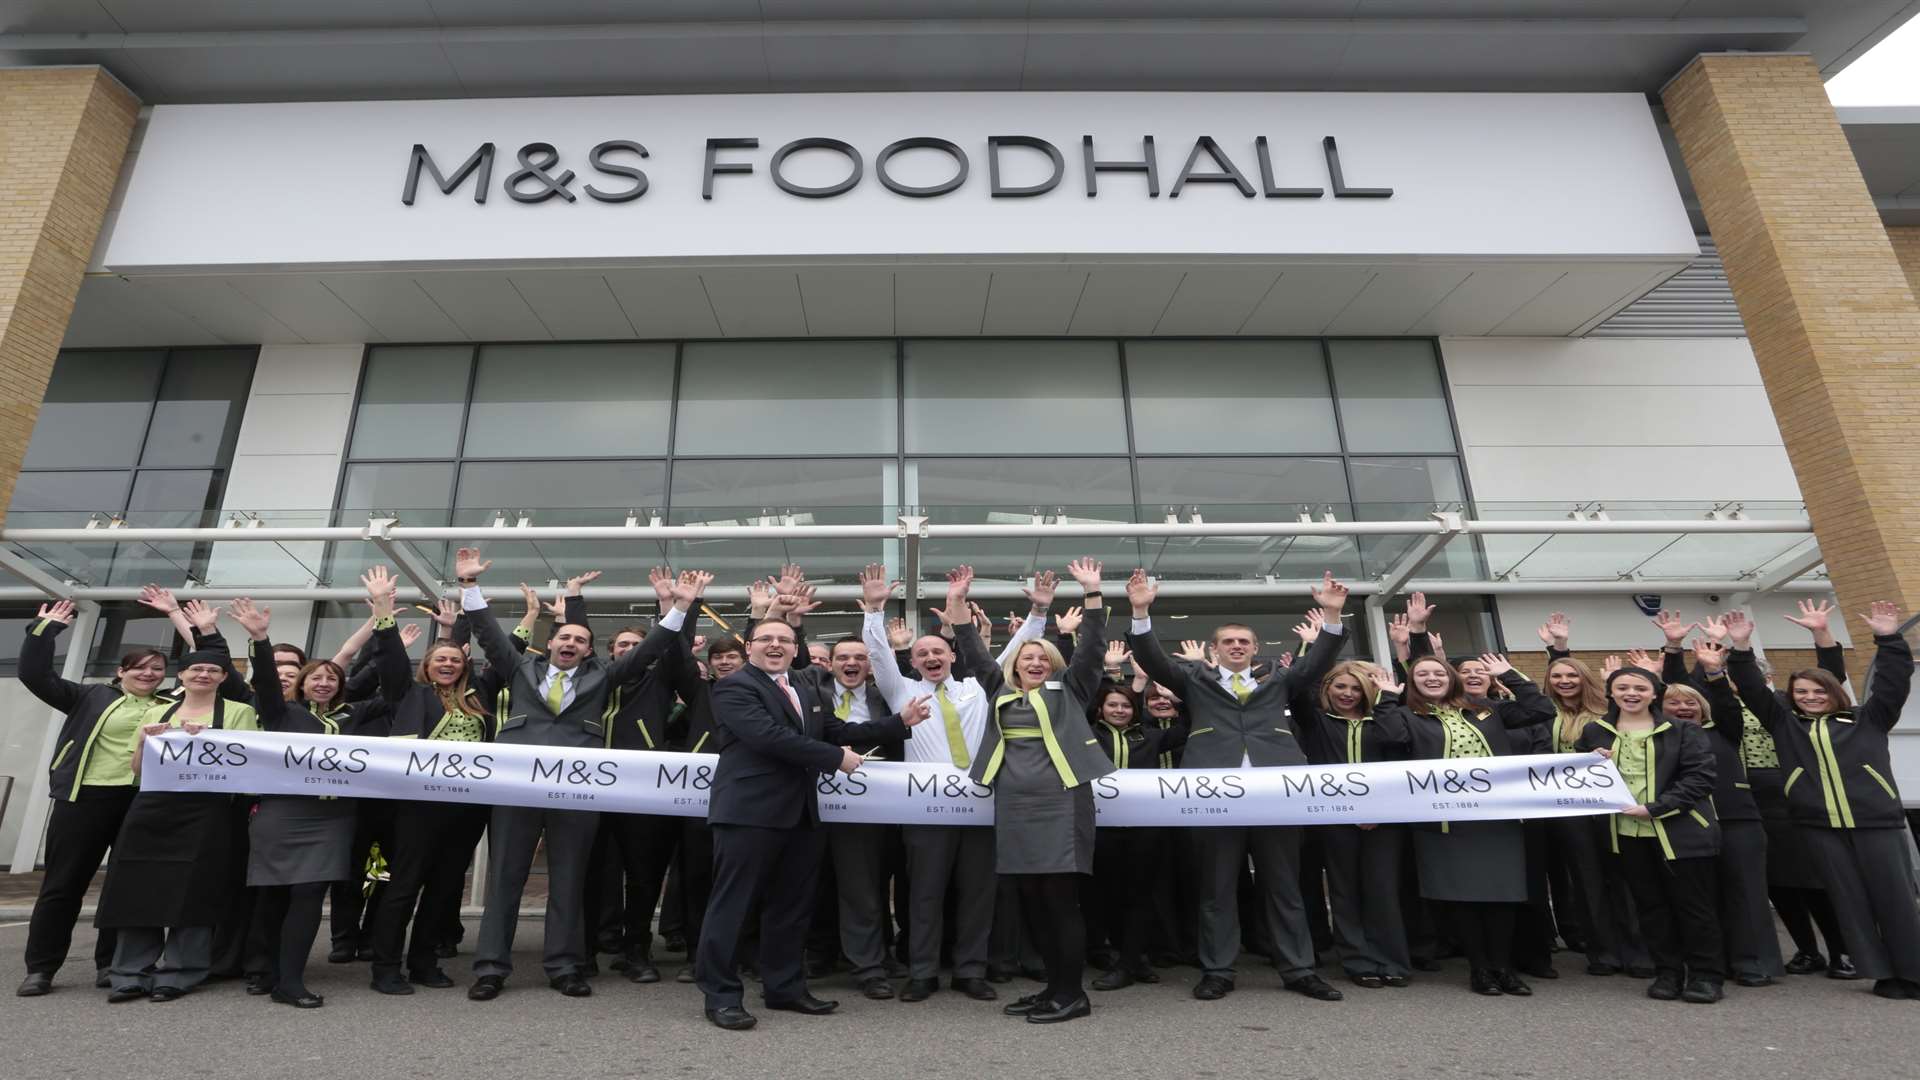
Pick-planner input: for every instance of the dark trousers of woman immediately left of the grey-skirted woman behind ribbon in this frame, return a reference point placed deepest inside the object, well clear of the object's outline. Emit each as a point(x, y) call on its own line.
point(1364, 893)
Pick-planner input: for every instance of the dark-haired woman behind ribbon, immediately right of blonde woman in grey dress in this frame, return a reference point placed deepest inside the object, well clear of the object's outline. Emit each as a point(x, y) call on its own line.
point(1128, 864)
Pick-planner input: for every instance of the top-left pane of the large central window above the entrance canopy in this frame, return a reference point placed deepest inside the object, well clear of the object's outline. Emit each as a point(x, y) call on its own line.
point(412, 403)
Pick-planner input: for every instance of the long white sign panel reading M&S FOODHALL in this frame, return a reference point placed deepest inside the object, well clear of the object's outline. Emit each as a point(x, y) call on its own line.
point(544, 182)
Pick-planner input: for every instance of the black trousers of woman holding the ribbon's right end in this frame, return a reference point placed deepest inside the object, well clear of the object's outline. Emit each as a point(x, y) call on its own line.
point(1679, 906)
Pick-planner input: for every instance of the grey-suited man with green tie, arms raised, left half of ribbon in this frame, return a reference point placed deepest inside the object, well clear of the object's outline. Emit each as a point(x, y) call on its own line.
point(550, 700)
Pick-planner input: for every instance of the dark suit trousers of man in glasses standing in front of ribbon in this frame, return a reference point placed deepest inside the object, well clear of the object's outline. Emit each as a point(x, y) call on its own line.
point(771, 870)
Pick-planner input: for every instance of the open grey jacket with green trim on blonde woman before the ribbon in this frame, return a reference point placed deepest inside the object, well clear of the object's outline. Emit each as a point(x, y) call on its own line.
point(1061, 706)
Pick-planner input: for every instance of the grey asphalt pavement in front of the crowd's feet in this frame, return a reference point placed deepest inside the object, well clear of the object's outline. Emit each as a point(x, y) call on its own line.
point(1572, 1029)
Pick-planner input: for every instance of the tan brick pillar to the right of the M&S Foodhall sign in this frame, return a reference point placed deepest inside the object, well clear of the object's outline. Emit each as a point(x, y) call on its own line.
point(1827, 305)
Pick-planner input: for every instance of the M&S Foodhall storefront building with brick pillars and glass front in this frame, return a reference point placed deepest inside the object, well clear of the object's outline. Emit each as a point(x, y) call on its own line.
point(1579, 308)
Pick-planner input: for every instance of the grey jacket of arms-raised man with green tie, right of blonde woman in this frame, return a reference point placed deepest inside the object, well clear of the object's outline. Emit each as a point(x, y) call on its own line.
point(1228, 731)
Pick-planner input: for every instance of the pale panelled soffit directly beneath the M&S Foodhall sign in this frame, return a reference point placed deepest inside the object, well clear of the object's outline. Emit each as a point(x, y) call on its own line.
point(855, 301)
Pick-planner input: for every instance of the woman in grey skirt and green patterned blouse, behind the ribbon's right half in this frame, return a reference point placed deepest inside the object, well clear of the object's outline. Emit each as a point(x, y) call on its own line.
point(1472, 873)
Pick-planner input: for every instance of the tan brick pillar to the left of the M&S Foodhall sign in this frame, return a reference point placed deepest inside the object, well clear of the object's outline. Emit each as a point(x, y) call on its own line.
point(62, 137)
